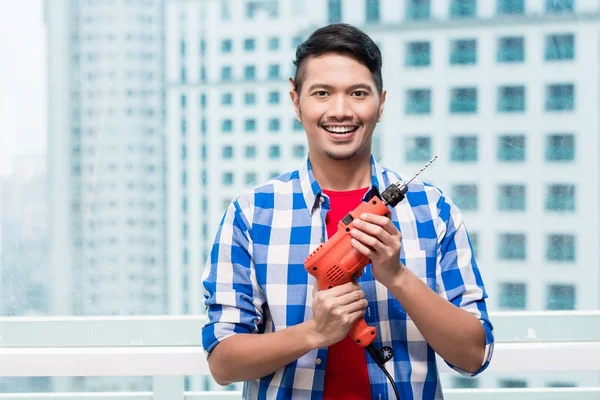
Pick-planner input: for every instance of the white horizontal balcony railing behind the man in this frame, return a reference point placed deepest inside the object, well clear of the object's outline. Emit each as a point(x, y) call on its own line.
point(169, 347)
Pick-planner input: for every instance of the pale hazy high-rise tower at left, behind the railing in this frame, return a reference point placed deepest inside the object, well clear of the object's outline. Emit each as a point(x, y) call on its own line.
point(106, 159)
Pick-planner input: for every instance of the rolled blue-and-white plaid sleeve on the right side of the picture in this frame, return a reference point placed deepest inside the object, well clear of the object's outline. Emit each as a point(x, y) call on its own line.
point(460, 281)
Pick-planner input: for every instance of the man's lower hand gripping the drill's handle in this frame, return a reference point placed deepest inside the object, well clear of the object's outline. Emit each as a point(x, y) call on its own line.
point(335, 310)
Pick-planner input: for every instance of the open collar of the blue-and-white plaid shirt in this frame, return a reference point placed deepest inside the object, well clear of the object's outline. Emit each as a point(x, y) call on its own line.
point(312, 192)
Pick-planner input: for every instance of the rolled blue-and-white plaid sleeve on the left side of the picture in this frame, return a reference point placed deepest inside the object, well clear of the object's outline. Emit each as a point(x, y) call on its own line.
point(233, 299)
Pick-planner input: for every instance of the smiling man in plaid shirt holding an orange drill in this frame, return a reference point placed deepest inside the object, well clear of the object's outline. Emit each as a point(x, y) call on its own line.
point(269, 326)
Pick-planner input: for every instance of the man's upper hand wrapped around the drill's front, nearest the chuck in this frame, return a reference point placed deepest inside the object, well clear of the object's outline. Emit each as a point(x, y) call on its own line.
point(376, 237)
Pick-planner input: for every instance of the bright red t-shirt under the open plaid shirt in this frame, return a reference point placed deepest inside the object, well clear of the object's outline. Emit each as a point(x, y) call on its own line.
point(346, 374)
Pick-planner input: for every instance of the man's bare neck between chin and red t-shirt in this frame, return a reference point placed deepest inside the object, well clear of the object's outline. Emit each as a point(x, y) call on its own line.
point(342, 175)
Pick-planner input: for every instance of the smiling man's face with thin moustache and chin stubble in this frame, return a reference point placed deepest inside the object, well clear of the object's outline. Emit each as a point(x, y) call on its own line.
point(338, 106)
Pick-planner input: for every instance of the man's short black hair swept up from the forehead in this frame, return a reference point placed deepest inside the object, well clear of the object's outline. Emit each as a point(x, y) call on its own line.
point(343, 39)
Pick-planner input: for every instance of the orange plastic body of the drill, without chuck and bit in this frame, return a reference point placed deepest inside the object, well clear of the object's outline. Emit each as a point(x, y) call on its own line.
point(336, 262)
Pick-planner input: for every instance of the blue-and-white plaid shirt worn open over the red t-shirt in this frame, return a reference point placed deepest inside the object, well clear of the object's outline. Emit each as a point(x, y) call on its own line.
point(255, 281)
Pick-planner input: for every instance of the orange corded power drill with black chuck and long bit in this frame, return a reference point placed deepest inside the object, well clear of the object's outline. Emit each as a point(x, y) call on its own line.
point(336, 262)
